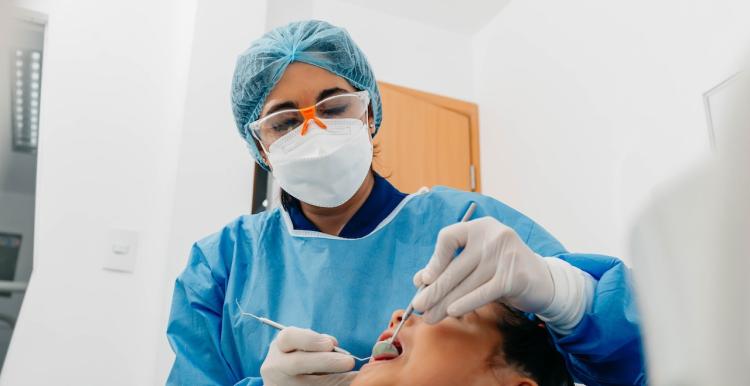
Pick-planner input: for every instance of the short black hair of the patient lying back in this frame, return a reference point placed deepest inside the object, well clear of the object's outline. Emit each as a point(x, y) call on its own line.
point(528, 348)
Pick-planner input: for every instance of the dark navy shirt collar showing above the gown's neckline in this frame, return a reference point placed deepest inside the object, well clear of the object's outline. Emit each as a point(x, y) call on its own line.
point(383, 199)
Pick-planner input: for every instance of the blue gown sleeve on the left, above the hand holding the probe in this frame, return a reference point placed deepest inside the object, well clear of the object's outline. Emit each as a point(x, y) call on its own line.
point(194, 329)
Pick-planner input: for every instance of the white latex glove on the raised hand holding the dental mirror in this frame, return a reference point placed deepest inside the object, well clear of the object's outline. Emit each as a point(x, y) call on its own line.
point(496, 265)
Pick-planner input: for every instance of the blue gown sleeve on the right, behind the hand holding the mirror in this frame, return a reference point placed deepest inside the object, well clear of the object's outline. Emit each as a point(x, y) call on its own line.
point(605, 348)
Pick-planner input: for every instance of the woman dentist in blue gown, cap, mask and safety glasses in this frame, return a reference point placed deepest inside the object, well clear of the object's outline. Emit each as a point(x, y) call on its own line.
point(346, 246)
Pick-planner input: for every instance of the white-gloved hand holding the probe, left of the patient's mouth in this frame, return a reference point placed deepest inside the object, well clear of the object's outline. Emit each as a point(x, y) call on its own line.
point(300, 357)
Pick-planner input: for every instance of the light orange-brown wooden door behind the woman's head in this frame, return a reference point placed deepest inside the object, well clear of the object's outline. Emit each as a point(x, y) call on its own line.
point(427, 140)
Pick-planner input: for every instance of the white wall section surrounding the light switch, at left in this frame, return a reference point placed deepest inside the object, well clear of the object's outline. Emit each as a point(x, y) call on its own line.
point(112, 103)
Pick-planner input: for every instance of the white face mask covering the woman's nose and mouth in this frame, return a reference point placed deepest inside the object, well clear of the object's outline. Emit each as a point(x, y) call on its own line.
point(325, 167)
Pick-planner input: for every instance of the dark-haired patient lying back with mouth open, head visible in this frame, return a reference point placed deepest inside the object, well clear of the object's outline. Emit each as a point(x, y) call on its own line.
point(493, 345)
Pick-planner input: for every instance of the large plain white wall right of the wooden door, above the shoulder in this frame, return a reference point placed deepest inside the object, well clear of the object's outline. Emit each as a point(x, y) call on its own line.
point(585, 105)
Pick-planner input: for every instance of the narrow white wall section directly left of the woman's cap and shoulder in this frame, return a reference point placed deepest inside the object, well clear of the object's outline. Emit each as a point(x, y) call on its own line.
point(214, 178)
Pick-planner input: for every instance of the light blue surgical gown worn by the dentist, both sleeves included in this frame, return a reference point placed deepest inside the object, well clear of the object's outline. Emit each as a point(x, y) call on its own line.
point(336, 286)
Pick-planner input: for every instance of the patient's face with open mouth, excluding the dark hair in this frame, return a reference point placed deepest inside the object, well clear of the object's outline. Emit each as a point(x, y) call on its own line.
point(456, 351)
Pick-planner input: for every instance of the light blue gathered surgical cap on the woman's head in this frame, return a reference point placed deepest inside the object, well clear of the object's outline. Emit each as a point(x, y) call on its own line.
point(315, 42)
